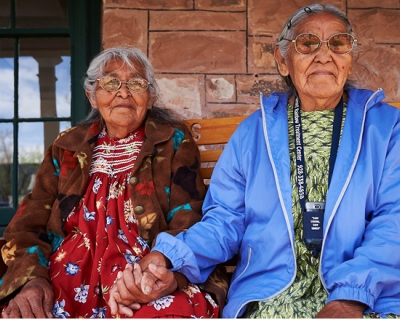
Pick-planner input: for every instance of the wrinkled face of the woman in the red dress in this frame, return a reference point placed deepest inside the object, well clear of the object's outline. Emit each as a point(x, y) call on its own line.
point(123, 111)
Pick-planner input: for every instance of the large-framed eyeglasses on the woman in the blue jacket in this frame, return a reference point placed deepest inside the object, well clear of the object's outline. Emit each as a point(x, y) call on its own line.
point(339, 43)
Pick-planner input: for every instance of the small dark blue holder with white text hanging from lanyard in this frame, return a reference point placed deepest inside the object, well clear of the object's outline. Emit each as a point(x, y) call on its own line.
point(313, 220)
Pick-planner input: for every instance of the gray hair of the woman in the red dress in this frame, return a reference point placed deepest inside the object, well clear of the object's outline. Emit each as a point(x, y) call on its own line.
point(128, 55)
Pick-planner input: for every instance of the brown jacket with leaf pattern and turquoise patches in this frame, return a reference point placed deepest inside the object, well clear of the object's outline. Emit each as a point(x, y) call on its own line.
point(166, 188)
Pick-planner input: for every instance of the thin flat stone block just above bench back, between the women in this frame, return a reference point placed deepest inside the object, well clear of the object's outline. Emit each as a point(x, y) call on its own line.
point(217, 110)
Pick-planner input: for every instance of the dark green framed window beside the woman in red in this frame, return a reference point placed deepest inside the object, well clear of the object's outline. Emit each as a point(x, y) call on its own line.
point(40, 54)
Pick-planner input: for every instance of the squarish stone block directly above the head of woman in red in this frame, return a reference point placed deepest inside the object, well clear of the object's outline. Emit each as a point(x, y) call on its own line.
point(125, 27)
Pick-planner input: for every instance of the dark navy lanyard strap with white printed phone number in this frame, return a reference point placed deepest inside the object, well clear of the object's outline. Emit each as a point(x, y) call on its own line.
point(299, 147)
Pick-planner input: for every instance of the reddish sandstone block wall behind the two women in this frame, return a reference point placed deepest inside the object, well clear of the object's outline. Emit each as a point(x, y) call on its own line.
point(213, 57)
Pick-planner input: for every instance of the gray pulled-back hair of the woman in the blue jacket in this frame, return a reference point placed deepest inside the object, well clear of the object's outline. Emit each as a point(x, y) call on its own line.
point(289, 29)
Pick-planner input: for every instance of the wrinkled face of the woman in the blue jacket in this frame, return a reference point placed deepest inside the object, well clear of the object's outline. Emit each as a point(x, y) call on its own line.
point(322, 74)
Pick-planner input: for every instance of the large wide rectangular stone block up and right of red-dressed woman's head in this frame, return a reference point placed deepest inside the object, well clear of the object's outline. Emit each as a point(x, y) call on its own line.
point(192, 52)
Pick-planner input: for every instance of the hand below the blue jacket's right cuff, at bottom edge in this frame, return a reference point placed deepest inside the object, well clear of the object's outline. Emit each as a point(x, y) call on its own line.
point(342, 309)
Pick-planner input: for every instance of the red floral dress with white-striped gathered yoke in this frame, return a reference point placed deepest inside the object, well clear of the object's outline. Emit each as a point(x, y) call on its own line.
point(103, 237)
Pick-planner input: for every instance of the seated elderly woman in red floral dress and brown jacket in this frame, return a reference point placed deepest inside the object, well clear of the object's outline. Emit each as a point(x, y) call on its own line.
point(105, 189)
